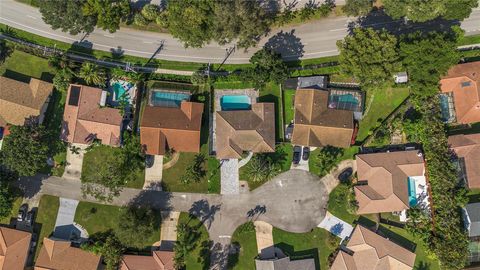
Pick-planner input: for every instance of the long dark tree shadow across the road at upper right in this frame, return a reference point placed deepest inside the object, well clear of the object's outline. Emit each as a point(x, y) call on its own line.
point(378, 20)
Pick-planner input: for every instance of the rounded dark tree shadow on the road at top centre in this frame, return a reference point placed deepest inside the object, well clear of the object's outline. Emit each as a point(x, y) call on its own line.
point(287, 44)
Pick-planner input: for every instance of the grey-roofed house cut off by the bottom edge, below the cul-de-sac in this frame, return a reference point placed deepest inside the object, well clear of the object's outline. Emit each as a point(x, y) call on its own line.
point(284, 264)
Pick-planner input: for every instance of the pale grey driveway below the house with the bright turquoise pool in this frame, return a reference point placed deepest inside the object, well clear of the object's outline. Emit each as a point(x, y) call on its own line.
point(229, 176)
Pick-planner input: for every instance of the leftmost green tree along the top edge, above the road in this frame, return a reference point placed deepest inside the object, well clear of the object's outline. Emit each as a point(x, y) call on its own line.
point(67, 15)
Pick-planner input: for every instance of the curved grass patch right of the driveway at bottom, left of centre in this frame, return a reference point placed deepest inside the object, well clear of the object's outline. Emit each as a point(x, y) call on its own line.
point(199, 258)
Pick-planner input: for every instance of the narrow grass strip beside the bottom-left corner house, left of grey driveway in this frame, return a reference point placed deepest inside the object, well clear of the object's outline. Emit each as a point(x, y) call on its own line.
point(46, 217)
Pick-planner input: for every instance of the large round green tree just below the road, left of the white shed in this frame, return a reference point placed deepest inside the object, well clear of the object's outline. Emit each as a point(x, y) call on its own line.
point(370, 56)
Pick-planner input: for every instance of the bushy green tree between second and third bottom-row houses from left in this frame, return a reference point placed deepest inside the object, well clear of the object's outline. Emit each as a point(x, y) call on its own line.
point(108, 246)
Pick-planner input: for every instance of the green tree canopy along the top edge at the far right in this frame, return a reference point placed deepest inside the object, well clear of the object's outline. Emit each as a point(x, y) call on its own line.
point(422, 11)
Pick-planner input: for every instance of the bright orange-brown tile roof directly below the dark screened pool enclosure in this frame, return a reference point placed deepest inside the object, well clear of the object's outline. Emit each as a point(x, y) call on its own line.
point(175, 128)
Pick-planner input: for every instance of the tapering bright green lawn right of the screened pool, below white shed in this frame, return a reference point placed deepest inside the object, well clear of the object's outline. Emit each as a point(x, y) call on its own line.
point(385, 101)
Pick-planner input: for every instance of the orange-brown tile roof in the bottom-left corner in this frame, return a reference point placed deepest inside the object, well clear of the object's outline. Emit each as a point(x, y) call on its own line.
point(14, 246)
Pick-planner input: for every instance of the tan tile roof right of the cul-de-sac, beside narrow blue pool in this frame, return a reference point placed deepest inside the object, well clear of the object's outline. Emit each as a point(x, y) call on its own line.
point(387, 180)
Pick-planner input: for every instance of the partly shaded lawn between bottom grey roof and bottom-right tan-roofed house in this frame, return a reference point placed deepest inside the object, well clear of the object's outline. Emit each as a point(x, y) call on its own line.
point(314, 244)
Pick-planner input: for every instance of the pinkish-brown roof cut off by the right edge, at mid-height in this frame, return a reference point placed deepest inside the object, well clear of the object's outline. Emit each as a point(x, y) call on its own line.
point(468, 148)
